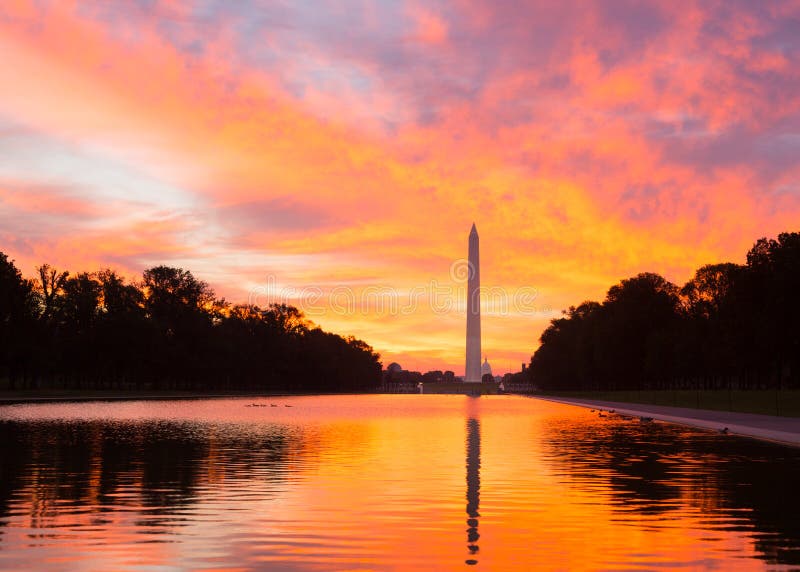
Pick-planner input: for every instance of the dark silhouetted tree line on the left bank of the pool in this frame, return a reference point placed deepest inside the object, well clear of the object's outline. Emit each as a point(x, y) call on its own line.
point(96, 330)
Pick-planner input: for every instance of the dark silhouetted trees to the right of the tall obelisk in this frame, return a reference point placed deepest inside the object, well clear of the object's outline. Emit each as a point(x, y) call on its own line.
point(731, 326)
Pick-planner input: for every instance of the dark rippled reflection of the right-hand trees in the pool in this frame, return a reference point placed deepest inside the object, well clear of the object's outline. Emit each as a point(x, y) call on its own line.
point(664, 470)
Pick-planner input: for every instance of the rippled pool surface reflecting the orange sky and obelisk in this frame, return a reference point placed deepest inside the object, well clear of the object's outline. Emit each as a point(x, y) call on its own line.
point(384, 482)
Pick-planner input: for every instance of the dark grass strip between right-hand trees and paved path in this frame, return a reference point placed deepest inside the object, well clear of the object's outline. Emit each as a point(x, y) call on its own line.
point(767, 402)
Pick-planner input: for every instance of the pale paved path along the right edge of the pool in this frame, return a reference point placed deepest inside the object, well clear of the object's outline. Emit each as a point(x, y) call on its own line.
point(768, 427)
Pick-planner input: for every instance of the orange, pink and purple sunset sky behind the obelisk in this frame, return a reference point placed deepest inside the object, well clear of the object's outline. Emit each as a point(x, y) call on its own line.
point(334, 155)
